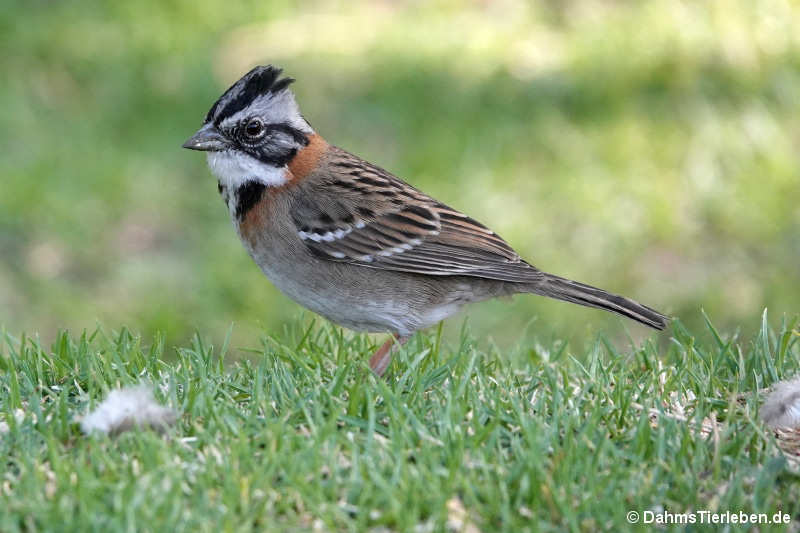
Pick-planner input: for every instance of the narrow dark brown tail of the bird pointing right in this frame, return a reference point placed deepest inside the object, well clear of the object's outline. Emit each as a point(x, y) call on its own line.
point(582, 294)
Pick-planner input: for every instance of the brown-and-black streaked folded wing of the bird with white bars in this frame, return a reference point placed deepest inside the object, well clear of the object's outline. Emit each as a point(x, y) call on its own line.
point(363, 215)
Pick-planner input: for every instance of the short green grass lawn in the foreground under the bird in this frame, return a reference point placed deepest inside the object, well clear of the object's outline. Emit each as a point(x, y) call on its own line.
point(299, 434)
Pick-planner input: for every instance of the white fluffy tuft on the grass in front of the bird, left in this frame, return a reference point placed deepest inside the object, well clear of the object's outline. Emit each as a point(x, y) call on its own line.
point(129, 408)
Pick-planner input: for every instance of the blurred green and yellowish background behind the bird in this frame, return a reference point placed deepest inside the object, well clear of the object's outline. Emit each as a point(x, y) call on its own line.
point(650, 148)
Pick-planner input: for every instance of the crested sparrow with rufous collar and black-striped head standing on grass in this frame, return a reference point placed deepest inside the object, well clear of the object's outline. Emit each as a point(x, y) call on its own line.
point(349, 240)
